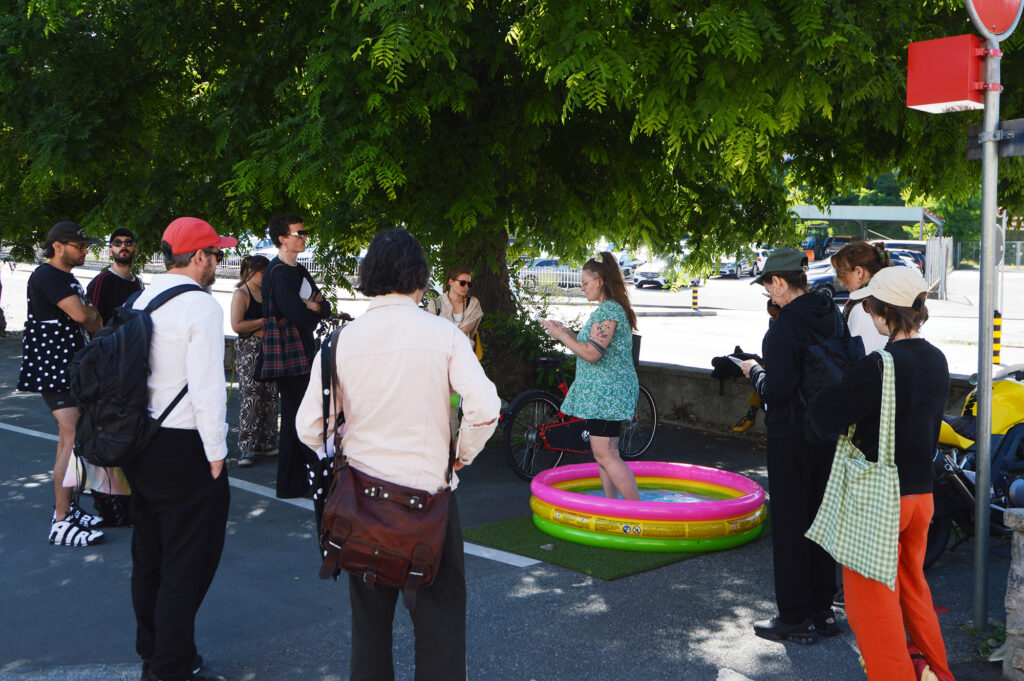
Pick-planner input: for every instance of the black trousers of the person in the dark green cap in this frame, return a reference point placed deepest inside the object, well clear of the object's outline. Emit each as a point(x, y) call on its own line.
point(805, 574)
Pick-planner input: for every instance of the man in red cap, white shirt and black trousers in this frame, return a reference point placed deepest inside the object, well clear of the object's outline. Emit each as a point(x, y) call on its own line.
point(180, 487)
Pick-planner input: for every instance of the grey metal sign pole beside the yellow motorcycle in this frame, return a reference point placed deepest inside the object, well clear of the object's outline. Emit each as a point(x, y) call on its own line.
point(990, 183)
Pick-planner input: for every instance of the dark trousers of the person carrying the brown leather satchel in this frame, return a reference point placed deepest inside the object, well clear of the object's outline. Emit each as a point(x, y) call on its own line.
point(439, 620)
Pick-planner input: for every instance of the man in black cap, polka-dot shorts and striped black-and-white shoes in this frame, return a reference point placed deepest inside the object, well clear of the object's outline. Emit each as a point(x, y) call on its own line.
point(54, 333)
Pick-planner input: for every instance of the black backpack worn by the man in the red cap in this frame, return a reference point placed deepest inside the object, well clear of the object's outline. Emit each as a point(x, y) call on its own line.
point(109, 379)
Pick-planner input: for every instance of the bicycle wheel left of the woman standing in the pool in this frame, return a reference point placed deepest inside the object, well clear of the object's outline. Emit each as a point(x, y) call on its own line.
point(524, 452)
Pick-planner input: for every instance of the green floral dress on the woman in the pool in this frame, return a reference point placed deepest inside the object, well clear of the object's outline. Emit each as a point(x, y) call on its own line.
point(609, 389)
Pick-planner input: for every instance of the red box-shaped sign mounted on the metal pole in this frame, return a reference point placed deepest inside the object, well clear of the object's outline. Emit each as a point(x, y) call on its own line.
point(944, 75)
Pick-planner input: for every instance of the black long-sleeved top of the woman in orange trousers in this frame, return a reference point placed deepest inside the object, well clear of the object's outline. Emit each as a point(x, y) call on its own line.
point(922, 387)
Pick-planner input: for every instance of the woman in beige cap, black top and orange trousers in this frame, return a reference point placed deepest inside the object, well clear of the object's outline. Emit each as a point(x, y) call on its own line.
point(890, 625)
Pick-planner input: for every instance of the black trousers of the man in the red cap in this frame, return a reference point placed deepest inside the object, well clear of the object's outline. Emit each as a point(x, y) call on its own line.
point(181, 516)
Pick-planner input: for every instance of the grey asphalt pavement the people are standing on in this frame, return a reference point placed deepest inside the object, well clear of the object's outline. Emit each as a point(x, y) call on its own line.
point(67, 614)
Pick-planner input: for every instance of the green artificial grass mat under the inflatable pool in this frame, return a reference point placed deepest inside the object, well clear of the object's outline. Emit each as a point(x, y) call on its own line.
point(522, 536)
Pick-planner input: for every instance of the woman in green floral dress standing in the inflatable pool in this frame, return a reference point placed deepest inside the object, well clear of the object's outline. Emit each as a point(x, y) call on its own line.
point(606, 389)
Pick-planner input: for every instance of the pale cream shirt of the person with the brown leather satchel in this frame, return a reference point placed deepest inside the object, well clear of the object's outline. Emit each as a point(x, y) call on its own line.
point(398, 368)
